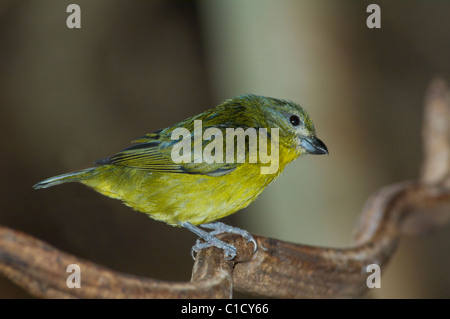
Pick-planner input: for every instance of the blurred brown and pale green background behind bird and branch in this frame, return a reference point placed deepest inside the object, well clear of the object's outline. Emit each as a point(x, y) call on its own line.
point(72, 96)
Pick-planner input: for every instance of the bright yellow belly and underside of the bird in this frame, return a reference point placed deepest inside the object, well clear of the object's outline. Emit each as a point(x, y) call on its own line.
point(177, 197)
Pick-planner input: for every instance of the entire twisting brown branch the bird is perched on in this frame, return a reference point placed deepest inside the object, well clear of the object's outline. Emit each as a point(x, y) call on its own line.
point(277, 269)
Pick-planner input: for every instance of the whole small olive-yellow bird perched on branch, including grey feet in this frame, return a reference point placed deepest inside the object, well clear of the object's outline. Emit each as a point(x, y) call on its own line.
point(201, 177)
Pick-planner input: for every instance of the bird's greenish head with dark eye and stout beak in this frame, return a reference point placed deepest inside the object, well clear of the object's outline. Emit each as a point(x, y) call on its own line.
point(296, 128)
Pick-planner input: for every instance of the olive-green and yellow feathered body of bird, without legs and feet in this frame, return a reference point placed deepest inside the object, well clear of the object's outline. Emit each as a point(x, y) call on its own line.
point(145, 177)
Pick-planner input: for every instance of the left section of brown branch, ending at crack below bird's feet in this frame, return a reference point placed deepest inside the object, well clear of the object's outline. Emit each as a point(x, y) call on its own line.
point(41, 270)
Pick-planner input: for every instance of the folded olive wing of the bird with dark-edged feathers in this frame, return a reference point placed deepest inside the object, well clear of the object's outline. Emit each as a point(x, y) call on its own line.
point(153, 152)
